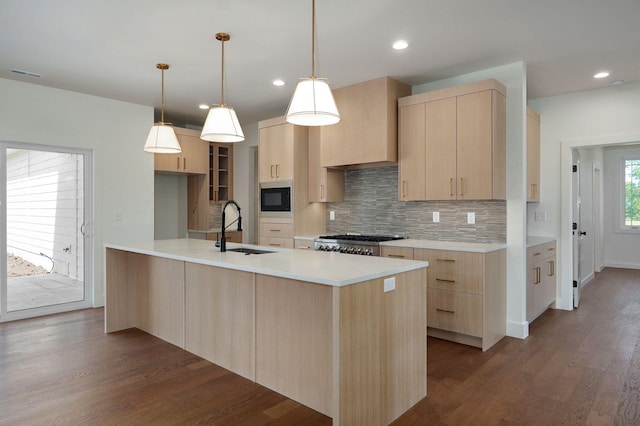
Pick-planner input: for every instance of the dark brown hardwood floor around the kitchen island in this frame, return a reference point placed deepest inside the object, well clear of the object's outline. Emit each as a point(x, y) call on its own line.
point(579, 367)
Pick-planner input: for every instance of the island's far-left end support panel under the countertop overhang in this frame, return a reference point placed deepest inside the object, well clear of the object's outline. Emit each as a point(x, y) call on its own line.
point(120, 306)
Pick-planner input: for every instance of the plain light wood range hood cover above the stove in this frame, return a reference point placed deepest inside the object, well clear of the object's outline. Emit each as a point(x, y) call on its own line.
point(368, 131)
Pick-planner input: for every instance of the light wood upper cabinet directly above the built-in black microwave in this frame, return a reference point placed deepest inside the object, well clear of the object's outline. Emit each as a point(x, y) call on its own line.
point(276, 149)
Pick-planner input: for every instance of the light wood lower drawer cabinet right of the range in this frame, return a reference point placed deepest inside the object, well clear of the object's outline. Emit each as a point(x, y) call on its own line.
point(466, 296)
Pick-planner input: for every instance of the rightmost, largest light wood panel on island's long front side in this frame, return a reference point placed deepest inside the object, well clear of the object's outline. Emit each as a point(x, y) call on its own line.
point(294, 344)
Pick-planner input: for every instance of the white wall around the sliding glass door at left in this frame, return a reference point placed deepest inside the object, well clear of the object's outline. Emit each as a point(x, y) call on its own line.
point(115, 131)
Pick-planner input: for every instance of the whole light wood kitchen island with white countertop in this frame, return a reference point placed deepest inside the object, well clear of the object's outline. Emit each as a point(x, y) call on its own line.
point(342, 334)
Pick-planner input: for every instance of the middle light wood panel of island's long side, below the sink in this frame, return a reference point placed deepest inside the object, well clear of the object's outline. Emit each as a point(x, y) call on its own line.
point(220, 321)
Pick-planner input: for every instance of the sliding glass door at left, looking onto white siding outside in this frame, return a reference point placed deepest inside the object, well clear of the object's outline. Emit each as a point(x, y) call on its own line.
point(45, 244)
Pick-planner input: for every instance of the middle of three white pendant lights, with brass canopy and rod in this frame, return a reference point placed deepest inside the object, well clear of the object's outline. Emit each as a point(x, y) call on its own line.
point(222, 123)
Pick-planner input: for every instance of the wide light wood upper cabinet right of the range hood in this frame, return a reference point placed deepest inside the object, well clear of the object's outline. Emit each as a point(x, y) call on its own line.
point(452, 143)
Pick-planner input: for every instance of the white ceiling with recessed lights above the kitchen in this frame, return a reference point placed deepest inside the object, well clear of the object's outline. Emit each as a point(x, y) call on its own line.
point(109, 48)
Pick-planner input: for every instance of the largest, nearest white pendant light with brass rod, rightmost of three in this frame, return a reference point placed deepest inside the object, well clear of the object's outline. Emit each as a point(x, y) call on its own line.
point(312, 103)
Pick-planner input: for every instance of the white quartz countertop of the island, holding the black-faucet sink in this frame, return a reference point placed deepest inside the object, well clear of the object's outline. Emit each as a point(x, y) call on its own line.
point(333, 269)
